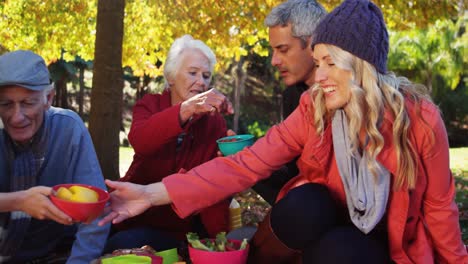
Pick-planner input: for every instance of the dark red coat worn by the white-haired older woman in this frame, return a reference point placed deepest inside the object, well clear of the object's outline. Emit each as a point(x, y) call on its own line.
point(153, 136)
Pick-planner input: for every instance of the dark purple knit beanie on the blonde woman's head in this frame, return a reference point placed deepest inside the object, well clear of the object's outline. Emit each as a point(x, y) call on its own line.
point(358, 27)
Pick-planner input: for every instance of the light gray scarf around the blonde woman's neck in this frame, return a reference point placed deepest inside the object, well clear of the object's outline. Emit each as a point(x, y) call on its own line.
point(366, 194)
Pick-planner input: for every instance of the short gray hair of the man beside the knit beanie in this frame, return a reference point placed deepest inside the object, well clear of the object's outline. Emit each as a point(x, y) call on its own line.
point(303, 15)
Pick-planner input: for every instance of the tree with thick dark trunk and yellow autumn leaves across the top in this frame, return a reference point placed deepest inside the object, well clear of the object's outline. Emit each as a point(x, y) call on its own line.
point(145, 30)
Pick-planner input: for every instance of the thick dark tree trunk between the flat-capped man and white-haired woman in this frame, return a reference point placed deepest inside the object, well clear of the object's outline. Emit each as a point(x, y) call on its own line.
point(107, 92)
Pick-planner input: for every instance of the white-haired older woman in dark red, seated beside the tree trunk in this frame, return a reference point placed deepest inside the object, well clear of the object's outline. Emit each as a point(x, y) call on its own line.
point(171, 132)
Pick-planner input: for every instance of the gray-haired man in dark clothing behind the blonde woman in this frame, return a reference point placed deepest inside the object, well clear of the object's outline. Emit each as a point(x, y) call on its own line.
point(291, 25)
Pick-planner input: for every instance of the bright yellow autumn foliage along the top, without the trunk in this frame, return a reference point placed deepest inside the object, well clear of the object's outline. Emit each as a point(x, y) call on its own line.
point(50, 27)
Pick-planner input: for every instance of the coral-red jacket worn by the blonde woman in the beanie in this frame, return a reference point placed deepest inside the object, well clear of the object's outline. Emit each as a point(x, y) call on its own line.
point(422, 224)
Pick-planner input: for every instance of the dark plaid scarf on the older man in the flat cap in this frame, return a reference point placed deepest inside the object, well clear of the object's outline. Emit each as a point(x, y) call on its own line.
point(25, 163)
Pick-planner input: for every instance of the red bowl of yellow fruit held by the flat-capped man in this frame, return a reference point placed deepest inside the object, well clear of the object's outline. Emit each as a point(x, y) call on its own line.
point(81, 212)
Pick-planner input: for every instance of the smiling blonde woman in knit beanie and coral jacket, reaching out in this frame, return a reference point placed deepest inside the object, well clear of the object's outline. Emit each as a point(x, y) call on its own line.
point(374, 183)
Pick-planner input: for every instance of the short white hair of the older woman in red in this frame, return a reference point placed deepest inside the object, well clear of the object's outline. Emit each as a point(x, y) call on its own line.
point(174, 57)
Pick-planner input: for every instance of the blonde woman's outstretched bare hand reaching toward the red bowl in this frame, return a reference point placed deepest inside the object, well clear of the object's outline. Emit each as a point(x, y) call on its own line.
point(129, 199)
